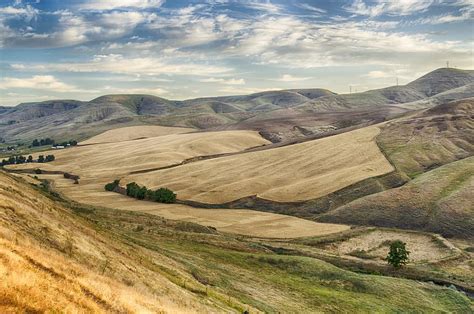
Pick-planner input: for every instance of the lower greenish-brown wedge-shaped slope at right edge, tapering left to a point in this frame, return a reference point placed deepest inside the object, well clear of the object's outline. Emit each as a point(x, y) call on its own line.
point(438, 201)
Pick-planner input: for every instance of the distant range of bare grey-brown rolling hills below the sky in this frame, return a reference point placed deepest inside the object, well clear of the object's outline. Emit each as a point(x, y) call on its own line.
point(278, 115)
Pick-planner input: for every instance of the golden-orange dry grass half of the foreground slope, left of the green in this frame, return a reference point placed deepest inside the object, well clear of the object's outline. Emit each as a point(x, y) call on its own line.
point(51, 260)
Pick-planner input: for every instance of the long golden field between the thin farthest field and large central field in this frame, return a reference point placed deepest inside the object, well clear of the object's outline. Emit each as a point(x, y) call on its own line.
point(108, 161)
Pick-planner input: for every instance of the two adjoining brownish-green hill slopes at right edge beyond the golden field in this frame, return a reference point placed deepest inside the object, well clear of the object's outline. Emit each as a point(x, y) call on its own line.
point(435, 147)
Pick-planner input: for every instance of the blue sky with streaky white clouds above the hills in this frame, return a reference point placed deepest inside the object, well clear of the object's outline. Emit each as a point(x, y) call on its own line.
point(176, 49)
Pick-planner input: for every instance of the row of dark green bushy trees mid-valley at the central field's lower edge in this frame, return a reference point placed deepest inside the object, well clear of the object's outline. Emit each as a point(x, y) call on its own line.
point(161, 195)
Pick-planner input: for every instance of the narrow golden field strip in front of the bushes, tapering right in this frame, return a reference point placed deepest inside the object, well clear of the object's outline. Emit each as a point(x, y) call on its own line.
point(241, 221)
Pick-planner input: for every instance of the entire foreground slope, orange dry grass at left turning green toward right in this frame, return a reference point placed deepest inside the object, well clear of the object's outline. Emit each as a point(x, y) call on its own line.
point(144, 263)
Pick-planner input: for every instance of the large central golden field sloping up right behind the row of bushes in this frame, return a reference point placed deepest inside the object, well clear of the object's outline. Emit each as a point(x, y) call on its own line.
point(298, 172)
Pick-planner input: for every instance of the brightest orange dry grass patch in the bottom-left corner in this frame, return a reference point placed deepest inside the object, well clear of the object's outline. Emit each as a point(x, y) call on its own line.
point(36, 280)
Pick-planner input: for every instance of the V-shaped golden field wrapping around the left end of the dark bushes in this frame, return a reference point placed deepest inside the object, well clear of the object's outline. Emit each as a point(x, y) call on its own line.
point(102, 163)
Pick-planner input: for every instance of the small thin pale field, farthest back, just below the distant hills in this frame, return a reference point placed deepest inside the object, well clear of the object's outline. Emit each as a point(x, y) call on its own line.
point(133, 133)
